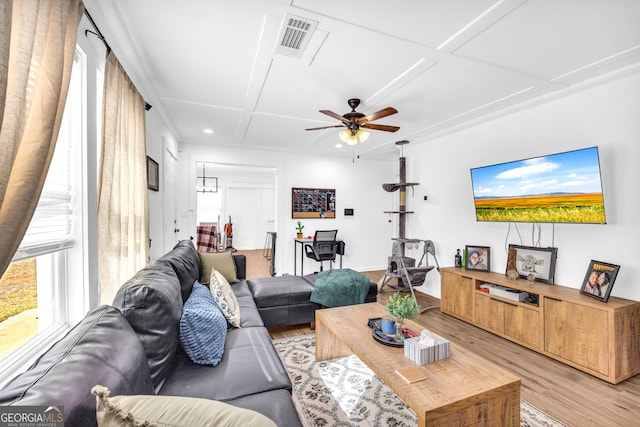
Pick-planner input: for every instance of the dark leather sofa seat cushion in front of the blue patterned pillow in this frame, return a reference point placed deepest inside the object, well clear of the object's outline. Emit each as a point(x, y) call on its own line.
point(250, 364)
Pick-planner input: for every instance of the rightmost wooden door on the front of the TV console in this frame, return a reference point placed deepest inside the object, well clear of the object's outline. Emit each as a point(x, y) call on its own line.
point(577, 333)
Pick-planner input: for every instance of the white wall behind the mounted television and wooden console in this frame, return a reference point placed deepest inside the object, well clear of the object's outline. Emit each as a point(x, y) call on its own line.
point(605, 116)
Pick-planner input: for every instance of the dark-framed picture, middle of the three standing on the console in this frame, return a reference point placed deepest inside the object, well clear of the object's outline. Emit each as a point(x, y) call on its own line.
point(536, 264)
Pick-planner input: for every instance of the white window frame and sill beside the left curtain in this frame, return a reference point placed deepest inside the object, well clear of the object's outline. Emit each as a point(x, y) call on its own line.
point(62, 265)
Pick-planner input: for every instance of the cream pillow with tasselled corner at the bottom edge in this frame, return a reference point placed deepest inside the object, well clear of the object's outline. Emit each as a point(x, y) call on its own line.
point(171, 411)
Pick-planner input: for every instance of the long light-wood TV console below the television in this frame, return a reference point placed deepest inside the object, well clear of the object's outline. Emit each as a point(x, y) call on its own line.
point(601, 339)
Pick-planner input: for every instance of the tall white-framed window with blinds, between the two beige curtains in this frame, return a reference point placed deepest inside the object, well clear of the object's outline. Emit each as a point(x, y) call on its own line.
point(42, 292)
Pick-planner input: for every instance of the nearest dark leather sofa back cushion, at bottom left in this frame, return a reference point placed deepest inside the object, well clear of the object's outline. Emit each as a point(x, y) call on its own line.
point(103, 348)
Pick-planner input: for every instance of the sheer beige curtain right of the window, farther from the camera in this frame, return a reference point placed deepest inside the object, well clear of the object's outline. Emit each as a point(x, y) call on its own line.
point(123, 217)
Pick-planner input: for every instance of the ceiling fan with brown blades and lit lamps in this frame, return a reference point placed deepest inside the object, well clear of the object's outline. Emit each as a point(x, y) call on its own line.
point(354, 121)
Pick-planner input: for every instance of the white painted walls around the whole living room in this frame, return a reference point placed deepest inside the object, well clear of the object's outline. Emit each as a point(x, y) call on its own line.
point(603, 114)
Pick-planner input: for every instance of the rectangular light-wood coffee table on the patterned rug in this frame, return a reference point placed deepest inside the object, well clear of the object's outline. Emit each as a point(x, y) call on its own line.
point(462, 390)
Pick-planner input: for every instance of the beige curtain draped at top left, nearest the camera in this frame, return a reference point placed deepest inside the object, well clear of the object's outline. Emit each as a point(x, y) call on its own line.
point(37, 44)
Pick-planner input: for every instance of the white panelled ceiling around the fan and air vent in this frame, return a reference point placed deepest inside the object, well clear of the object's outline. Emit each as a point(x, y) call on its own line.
point(441, 63)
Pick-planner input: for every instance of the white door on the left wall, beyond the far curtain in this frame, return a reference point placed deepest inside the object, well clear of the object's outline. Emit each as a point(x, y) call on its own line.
point(170, 216)
